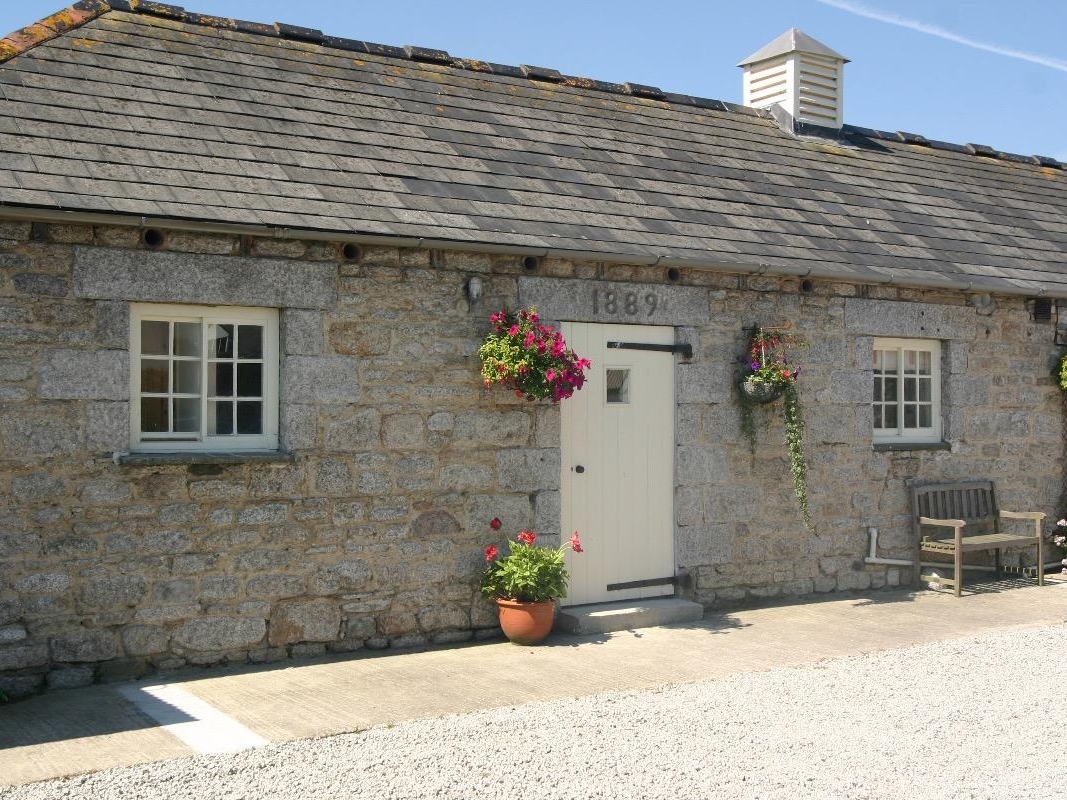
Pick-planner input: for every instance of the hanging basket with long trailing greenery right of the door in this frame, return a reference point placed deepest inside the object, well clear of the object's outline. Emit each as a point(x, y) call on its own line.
point(766, 376)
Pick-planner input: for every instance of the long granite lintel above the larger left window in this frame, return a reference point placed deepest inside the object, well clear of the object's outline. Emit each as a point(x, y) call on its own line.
point(151, 277)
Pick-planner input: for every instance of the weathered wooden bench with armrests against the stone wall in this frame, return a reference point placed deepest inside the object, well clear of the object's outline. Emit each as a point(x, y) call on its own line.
point(969, 509)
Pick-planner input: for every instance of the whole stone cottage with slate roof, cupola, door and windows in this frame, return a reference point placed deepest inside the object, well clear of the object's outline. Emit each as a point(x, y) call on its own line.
point(246, 270)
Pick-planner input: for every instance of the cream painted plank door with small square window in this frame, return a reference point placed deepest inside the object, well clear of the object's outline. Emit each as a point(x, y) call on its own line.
point(618, 465)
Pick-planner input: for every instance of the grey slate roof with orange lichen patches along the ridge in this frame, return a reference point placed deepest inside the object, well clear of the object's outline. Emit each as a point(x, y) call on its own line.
point(166, 115)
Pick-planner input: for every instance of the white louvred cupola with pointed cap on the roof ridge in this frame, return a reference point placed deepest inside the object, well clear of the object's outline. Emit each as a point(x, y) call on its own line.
point(805, 77)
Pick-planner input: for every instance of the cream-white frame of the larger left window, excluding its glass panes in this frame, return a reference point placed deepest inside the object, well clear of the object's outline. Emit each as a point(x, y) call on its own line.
point(208, 316)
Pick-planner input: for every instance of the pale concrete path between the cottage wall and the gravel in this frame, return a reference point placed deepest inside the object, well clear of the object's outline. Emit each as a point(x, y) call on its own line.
point(78, 731)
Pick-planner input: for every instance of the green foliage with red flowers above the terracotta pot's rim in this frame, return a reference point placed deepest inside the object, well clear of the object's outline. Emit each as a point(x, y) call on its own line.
point(529, 573)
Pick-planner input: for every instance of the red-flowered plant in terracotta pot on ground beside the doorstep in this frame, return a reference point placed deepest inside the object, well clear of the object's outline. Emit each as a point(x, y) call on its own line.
point(527, 584)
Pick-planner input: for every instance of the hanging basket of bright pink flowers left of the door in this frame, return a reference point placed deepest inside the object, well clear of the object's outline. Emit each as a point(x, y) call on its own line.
point(530, 358)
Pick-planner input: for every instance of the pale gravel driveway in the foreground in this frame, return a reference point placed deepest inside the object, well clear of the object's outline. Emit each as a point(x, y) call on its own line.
point(972, 718)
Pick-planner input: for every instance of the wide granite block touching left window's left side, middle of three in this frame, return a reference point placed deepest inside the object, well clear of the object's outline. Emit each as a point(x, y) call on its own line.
point(85, 375)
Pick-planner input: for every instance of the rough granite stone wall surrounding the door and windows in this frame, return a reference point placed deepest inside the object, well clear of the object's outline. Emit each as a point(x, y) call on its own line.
point(367, 532)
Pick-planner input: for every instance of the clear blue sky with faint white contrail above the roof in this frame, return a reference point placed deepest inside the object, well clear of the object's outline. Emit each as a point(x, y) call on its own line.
point(983, 72)
